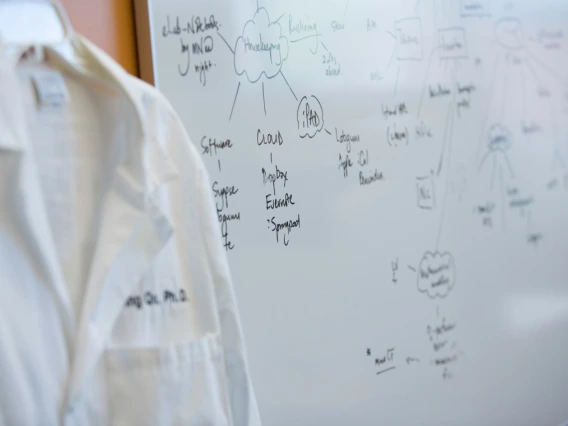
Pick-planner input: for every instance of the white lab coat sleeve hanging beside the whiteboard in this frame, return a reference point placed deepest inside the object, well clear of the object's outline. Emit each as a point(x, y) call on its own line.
point(240, 391)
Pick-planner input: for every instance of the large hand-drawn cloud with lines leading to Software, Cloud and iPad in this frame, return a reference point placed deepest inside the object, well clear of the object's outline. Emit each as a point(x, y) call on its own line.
point(261, 49)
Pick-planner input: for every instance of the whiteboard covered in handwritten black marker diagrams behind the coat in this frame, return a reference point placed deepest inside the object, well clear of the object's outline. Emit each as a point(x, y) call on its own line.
point(391, 180)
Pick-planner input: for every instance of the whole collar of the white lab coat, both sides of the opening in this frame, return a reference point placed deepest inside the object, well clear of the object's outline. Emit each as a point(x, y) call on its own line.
point(133, 228)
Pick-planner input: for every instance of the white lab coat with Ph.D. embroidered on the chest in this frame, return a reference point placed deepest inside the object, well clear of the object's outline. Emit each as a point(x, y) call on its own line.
point(156, 337)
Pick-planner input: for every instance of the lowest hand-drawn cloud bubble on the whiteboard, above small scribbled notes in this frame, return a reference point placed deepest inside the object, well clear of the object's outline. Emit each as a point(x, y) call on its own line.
point(436, 274)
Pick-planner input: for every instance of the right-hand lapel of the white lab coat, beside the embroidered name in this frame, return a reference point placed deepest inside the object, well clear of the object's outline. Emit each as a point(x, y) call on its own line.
point(133, 230)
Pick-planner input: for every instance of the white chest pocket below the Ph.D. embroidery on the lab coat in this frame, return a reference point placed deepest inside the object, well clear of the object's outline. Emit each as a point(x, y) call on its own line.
point(181, 384)
